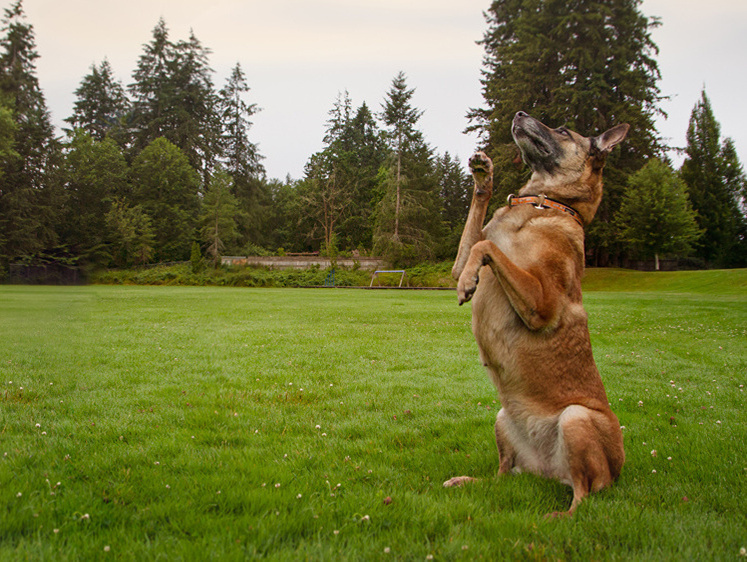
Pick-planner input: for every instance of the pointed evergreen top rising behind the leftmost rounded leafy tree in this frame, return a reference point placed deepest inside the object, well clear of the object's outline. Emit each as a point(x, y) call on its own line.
point(102, 104)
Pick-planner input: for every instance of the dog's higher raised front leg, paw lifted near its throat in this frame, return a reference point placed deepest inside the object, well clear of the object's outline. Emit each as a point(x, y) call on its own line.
point(482, 173)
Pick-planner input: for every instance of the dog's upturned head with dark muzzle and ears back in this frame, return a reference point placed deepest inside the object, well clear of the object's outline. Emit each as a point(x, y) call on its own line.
point(565, 166)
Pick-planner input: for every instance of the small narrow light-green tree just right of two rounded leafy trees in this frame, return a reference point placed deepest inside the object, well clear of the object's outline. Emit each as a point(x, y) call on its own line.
point(219, 211)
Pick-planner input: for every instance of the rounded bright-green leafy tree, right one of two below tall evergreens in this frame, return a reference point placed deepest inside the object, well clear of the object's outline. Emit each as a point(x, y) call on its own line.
point(167, 188)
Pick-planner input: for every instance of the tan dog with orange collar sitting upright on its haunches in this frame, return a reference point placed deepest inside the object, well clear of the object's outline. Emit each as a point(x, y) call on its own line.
point(523, 273)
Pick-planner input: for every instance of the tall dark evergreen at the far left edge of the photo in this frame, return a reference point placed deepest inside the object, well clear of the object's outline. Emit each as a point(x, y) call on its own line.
point(29, 198)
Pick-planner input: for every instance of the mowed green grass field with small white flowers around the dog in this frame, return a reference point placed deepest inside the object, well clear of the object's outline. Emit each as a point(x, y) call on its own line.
point(172, 423)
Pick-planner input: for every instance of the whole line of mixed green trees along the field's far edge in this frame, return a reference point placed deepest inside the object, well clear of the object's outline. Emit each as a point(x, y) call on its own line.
point(164, 168)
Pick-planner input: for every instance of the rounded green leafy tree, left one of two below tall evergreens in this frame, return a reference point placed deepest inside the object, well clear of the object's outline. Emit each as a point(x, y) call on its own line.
point(94, 172)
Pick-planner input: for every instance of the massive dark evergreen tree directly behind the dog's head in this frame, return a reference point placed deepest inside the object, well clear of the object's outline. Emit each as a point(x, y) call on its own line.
point(586, 64)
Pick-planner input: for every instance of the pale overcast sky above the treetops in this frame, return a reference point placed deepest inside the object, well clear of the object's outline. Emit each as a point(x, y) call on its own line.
point(299, 54)
